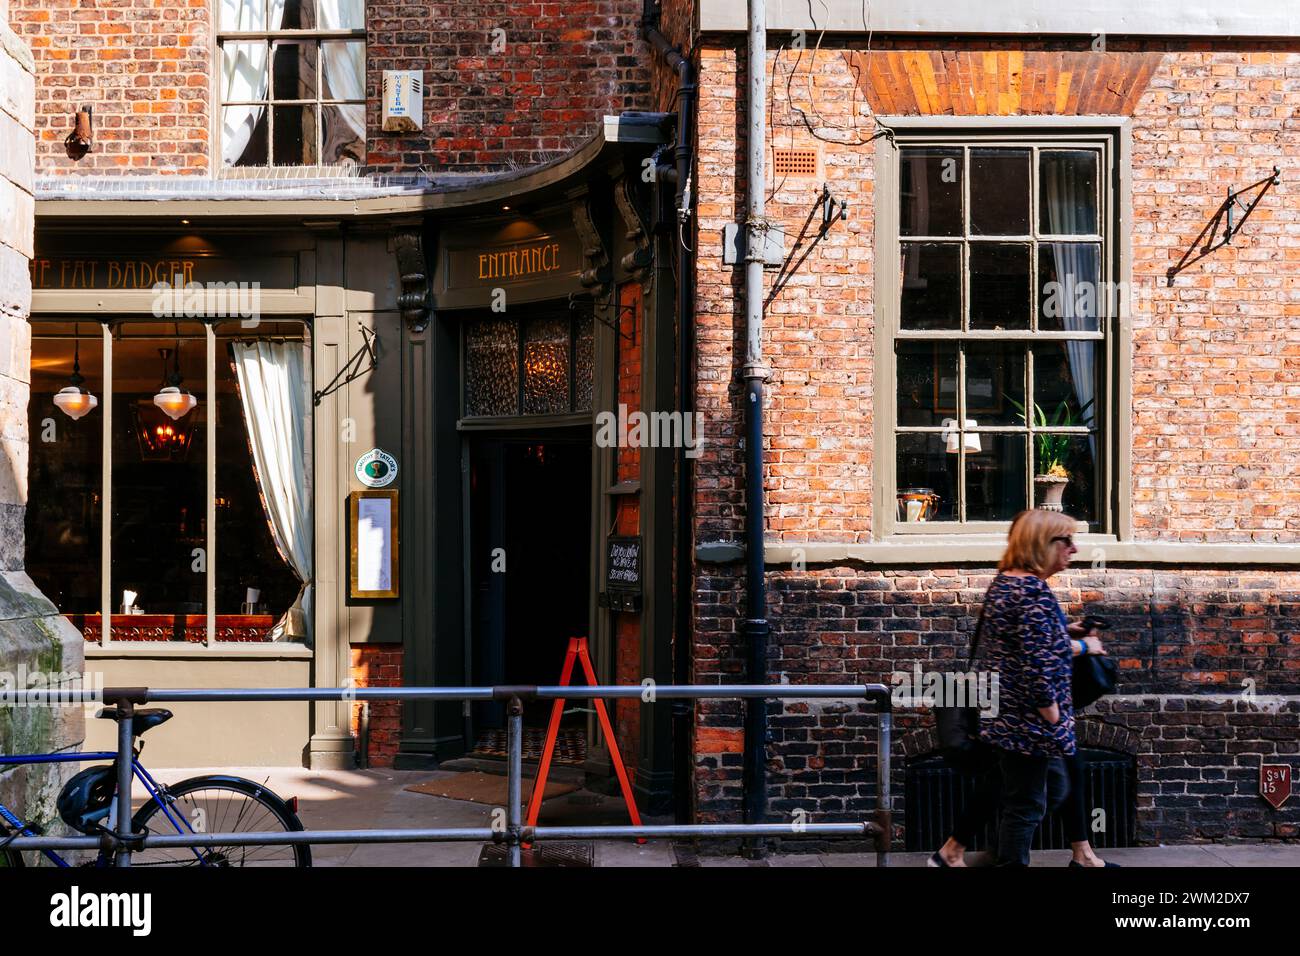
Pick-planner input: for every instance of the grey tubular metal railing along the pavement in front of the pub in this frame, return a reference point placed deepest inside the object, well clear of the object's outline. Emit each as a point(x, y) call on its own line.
point(123, 842)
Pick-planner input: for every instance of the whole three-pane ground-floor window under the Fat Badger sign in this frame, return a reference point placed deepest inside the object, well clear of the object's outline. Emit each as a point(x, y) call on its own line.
point(119, 514)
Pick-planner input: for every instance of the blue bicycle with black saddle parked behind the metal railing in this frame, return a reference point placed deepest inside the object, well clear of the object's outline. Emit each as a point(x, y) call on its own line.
point(196, 806)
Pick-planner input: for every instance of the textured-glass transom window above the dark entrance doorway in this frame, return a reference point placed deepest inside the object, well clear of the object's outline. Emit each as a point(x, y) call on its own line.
point(538, 366)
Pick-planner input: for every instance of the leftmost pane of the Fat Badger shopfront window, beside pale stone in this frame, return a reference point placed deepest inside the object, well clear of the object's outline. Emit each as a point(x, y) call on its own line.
point(64, 473)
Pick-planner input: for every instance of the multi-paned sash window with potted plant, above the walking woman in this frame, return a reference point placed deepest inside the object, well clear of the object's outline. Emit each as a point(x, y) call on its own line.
point(1002, 332)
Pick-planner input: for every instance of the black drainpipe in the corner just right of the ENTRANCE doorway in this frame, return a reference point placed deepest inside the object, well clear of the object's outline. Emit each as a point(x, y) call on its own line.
point(683, 711)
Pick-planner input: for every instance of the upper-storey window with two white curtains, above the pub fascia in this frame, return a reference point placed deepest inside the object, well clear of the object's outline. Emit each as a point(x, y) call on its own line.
point(293, 83)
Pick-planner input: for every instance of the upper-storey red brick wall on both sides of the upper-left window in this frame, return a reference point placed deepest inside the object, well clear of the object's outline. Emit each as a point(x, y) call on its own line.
point(146, 68)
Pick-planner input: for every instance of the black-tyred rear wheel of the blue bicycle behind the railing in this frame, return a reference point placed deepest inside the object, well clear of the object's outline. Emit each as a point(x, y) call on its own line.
point(219, 804)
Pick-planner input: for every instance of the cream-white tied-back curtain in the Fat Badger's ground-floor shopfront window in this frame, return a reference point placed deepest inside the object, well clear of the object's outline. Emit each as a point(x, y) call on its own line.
point(275, 391)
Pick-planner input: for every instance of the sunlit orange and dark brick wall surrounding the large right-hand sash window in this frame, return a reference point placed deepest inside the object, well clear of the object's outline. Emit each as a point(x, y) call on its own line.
point(1216, 377)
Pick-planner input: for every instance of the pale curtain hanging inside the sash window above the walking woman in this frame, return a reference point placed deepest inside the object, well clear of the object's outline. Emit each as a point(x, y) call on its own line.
point(1076, 265)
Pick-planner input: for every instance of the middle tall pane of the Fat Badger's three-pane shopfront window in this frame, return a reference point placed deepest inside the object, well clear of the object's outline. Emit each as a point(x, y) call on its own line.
point(161, 487)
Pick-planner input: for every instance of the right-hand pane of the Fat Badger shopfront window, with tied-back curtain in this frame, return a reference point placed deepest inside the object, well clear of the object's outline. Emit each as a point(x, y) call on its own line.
point(261, 384)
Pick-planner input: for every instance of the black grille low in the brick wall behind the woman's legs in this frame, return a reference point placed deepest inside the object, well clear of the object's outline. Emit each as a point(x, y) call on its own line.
point(935, 794)
